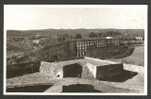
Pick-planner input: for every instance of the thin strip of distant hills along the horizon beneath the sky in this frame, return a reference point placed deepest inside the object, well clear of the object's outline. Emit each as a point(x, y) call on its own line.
point(54, 32)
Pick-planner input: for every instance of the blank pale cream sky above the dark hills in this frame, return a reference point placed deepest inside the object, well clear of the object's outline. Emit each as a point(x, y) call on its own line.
point(26, 17)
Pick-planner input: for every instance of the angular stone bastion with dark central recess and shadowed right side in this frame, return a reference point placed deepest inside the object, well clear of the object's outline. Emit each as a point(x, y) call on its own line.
point(87, 68)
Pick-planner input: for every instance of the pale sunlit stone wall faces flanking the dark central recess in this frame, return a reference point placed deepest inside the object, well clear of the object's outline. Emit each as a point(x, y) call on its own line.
point(55, 70)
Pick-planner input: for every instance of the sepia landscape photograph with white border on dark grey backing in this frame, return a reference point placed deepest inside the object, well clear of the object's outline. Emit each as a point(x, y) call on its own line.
point(75, 50)
